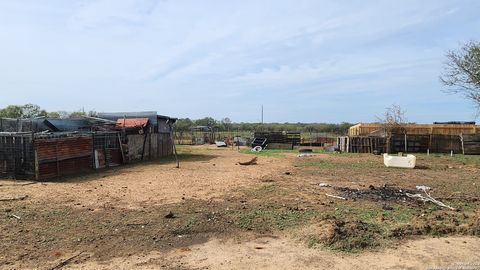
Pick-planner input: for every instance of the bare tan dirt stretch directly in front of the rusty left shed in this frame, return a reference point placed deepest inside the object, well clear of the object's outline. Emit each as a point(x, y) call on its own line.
point(205, 173)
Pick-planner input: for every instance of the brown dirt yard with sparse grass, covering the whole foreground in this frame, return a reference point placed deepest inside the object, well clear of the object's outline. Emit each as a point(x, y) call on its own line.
point(212, 213)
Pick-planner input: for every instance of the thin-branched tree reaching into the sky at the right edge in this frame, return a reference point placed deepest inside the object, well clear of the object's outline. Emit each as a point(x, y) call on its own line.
point(462, 71)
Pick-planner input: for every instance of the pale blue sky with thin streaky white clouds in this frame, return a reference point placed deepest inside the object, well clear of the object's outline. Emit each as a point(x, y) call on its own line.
point(305, 61)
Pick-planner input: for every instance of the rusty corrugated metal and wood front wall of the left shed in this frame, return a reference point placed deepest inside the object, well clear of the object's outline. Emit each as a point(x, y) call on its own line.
point(43, 156)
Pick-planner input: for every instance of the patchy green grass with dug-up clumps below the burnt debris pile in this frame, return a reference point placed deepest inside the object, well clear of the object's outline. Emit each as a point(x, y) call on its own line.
point(370, 226)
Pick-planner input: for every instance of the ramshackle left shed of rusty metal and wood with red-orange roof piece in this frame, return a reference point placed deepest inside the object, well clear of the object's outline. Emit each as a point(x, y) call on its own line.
point(58, 147)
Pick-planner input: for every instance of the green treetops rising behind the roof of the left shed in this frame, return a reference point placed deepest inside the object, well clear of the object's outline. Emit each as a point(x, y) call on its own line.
point(32, 111)
